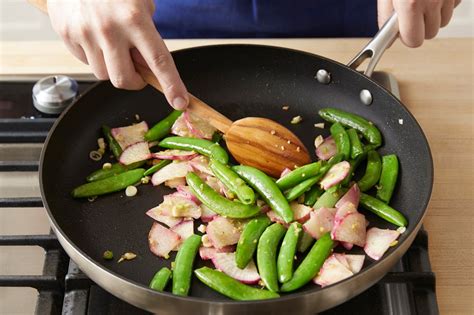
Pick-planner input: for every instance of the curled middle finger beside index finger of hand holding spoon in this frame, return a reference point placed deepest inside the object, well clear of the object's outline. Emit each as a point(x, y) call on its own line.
point(121, 70)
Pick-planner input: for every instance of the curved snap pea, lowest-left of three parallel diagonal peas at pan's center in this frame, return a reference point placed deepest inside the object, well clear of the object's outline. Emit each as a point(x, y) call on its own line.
point(218, 203)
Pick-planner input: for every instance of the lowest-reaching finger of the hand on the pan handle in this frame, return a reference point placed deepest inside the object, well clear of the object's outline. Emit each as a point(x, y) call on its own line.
point(411, 22)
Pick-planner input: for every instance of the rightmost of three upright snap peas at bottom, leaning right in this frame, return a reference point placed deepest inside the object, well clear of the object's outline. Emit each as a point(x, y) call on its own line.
point(311, 264)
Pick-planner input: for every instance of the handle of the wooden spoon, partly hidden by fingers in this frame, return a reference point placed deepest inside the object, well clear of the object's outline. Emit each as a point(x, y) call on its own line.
point(196, 106)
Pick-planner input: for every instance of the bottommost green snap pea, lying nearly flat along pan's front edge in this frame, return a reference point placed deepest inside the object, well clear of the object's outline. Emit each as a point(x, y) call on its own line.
point(230, 287)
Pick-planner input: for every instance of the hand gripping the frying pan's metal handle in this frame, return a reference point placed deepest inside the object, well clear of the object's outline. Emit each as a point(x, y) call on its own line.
point(418, 19)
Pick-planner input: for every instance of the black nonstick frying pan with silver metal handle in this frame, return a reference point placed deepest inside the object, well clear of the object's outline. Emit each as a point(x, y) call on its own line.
point(239, 81)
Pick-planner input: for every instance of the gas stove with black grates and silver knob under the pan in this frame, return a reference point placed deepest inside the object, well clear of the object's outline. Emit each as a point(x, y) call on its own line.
point(61, 287)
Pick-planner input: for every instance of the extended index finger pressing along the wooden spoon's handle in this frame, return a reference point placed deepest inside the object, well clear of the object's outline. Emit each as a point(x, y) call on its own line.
point(159, 60)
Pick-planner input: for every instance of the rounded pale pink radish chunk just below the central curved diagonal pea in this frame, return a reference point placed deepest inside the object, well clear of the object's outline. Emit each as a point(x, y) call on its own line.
point(222, 232)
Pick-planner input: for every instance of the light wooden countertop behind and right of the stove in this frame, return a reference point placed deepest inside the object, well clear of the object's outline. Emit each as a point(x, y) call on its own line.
point(436, 84)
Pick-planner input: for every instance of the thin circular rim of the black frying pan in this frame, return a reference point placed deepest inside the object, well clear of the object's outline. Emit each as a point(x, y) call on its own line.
point(282, 298)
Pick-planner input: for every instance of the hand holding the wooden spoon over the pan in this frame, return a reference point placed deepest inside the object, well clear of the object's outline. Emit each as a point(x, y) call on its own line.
point(109, 35)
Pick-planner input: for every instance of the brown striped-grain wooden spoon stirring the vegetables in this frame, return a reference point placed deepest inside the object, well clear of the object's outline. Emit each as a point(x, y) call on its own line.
point(254, 141)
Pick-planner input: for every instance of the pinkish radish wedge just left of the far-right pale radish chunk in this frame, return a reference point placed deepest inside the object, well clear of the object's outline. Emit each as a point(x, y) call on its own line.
point(350, 229)
